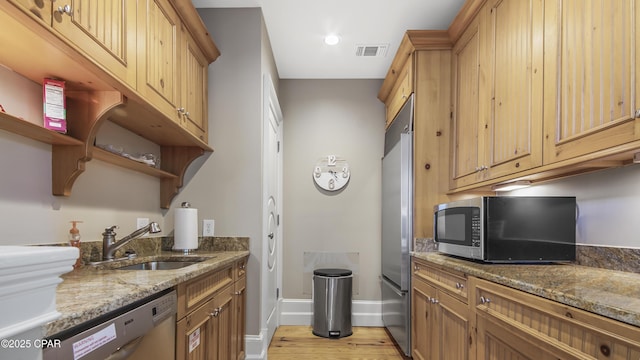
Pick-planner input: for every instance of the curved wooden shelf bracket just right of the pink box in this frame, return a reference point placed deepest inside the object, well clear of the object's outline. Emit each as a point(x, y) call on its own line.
point(86, 111)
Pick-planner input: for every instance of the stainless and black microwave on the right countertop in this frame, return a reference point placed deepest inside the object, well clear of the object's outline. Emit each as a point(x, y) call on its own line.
point(508, 229)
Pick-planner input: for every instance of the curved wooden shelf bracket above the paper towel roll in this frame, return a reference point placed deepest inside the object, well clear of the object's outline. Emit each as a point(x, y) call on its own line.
point(176, 160)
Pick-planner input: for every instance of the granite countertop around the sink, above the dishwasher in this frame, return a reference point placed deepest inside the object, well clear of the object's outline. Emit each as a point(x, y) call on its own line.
point(89, 291)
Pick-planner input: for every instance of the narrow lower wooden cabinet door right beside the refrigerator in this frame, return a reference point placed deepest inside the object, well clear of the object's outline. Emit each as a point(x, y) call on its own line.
point(423, 334)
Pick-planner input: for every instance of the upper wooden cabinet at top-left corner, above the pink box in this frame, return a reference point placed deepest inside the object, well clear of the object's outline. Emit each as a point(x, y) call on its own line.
point(103, 30)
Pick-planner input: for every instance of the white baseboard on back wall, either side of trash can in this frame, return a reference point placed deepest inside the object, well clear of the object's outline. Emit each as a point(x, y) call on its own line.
point(300, 312)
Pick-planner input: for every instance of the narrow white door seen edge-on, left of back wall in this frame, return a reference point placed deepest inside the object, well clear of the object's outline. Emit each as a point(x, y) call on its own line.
point(272, 201)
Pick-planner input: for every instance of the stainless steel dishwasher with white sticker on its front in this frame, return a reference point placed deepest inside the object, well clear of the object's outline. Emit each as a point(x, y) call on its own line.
point(142, 330)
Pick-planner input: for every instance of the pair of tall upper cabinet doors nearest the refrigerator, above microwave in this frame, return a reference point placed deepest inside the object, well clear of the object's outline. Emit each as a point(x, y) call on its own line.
point(498, 80)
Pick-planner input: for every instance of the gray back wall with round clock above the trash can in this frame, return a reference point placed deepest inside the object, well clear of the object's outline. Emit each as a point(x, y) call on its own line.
point(340, 117)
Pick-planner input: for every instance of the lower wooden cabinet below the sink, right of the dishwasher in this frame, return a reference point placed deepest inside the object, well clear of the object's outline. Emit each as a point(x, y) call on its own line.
point(211, 316)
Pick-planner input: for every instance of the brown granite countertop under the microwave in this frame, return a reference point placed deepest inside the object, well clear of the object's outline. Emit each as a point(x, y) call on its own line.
point(614, 294)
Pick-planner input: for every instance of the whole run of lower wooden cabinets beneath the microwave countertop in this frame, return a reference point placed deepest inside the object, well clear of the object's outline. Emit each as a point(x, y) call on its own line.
point(499, 323)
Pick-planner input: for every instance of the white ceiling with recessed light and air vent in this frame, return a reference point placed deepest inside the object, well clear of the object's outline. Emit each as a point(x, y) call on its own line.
point(297, 28)
